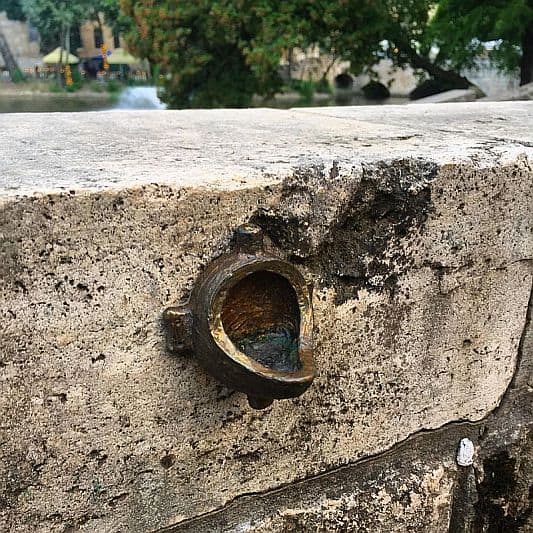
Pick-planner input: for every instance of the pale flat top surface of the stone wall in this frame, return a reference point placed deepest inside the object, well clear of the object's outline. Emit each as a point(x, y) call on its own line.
point(45, 153)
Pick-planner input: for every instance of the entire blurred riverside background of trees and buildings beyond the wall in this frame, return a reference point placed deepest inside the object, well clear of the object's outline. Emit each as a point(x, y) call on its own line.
point(86, 55)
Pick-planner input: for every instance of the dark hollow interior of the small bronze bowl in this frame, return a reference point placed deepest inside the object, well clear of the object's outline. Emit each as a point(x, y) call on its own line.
point(262, 318)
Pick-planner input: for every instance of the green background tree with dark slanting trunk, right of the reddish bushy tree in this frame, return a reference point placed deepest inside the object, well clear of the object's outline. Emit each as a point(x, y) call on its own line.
point(361, 31)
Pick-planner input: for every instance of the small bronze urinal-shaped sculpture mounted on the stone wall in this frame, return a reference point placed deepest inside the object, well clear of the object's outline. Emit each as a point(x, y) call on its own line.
point(249, 322)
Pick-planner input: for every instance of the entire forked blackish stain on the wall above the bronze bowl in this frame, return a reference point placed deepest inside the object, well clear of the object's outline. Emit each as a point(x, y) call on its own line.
point(361, 248)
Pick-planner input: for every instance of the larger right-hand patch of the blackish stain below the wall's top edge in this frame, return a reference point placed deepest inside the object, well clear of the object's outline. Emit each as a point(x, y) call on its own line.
point(391, 200)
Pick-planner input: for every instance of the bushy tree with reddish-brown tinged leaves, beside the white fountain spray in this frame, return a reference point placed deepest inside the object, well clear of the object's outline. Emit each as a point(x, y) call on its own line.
point(200, 48)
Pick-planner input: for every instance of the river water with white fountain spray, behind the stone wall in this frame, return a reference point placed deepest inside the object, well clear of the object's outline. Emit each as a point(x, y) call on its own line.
point(146, 98)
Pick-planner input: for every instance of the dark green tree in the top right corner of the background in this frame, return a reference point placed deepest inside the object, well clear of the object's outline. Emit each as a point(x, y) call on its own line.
point(460, 27)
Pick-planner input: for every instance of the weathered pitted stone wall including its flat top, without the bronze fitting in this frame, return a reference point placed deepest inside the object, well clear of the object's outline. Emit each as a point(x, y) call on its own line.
point(415, 226)
